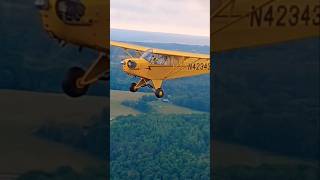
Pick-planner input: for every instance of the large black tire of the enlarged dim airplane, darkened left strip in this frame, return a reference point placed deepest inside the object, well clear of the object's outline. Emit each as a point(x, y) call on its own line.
point(69, 84)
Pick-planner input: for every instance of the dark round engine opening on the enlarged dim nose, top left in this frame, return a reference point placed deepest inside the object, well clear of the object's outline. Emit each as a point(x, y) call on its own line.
point(70, 11)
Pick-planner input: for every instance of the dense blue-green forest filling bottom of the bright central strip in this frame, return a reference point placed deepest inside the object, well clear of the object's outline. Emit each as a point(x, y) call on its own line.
point(156, 146)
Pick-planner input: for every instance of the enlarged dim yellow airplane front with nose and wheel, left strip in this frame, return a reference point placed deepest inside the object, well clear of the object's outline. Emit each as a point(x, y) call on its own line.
point(84, 23)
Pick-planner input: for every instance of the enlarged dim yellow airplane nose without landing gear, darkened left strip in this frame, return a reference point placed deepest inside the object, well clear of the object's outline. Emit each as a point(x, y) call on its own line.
point(82, 23)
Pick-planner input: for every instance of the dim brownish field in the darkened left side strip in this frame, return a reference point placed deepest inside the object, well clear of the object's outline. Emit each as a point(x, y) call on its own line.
point(23, 112)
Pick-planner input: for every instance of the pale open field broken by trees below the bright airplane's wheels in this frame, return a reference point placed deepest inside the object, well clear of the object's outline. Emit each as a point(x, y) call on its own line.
point(117, 109)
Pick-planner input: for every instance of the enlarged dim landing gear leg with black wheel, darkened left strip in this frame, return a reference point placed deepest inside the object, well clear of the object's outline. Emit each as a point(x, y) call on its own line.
point(77, 81)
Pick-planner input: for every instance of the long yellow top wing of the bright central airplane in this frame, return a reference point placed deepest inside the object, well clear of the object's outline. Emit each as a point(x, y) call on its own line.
point(159, 51)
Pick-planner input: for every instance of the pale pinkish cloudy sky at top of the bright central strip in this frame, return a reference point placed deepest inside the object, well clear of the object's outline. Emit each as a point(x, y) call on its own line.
point(190, 17)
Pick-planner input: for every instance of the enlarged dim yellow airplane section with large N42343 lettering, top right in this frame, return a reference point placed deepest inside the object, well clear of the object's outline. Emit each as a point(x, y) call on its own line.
point(247, 23)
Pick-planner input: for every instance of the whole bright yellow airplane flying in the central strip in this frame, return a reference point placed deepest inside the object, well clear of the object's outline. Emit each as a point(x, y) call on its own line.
point(153, 66)
